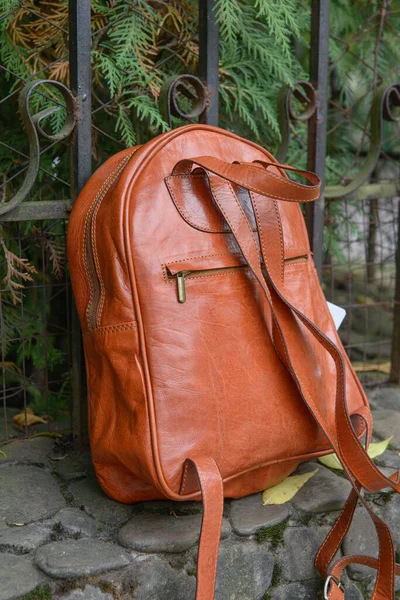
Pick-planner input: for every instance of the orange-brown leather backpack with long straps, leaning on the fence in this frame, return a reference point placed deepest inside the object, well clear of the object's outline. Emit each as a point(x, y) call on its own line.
point(213, 363)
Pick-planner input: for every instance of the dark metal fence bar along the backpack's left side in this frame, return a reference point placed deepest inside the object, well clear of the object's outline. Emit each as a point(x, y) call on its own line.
point(81, 169)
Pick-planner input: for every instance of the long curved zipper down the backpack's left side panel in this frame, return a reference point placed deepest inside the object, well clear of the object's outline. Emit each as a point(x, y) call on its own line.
point(91, 263)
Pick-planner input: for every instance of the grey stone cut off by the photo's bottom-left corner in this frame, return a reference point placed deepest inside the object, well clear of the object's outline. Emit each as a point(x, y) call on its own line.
point(17, 576)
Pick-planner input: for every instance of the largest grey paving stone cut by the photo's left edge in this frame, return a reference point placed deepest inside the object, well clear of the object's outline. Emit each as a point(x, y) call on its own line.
point(28, 494)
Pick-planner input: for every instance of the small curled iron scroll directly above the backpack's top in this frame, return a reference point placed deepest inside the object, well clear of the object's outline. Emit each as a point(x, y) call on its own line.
point(188, 86)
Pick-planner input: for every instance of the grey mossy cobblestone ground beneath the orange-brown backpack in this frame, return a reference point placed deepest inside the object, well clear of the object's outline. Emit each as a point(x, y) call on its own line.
point(62, 537)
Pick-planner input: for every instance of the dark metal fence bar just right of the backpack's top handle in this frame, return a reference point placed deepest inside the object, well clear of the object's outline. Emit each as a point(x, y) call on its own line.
point(317, 128)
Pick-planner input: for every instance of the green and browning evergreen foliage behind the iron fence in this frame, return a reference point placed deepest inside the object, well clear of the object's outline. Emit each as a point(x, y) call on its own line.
point(136, 46)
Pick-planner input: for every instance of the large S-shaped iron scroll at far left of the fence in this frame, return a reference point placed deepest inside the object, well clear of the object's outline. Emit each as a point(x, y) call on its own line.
point(34, 129)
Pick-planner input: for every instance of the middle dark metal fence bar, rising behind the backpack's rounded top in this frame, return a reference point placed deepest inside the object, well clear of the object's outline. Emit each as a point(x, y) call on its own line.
point(209, 58)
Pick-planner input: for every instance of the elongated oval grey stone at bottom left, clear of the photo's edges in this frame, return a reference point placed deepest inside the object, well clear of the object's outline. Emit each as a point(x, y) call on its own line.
point(78, 558)
